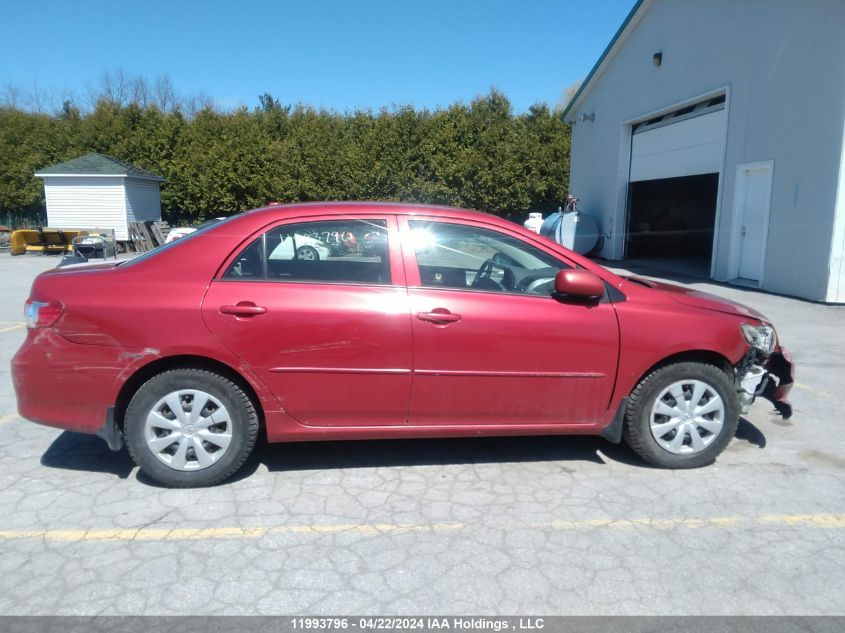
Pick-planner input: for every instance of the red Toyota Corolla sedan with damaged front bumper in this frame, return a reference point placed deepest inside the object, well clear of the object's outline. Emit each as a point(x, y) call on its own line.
point(358, 321)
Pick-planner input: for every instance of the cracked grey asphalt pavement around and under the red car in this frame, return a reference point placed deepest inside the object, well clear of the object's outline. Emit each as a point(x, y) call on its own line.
point(470, 526)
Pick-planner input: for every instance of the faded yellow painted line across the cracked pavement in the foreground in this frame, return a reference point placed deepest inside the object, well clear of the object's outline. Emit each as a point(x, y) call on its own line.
point(824, 521)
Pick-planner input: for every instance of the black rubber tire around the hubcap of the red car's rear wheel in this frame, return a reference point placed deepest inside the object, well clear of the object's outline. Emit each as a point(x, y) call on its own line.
point(242, 414)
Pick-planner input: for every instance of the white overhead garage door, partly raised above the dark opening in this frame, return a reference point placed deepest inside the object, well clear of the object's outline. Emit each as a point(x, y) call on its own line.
point(688, 147)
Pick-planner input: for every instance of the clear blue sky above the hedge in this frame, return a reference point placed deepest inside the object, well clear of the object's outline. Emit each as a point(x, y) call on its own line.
point(329, 53)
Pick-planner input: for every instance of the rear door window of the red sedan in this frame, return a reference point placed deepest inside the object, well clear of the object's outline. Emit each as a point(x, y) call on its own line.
point(337, 251)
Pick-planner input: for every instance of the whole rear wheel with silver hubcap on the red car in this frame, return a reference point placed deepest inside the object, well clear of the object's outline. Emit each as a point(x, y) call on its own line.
point(190, 427)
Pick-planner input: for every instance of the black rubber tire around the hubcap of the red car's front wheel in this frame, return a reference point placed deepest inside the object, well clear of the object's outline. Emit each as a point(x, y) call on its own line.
point(637, 430)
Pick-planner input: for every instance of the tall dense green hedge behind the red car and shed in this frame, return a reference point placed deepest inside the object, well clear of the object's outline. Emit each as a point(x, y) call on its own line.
point(477, 155)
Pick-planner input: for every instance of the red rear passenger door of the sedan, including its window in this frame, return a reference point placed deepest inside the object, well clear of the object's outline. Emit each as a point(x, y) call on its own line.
point(318, 309)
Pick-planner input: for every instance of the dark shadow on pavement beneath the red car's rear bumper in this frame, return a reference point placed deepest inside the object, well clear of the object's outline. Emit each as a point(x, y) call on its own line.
point(77, 451)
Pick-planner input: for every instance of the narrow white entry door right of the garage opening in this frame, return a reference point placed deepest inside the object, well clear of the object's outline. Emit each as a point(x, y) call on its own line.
point(752, 203)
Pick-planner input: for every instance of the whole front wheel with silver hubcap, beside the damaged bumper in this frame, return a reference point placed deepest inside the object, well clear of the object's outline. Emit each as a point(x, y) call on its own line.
point(682, 415)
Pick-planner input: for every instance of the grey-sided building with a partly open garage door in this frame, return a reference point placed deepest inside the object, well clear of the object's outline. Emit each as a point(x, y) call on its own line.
point(712, 133)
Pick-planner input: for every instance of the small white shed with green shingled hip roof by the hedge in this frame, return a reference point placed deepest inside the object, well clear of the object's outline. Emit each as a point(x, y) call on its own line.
point(99, 191)
